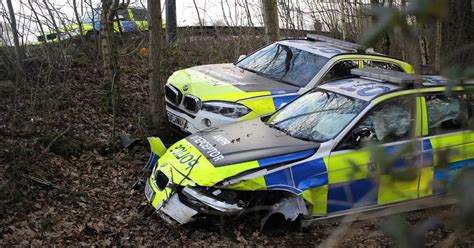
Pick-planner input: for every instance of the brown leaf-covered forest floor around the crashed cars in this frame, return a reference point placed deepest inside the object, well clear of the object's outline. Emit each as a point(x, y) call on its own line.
point(62, 184)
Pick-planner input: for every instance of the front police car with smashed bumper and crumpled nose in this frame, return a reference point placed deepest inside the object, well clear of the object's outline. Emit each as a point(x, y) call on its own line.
point(314, 157)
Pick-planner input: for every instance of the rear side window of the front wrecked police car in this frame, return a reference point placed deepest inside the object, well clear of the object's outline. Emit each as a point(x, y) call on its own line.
point(448, 113)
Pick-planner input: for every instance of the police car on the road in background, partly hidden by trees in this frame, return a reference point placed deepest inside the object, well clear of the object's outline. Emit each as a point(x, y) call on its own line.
point(127, 20)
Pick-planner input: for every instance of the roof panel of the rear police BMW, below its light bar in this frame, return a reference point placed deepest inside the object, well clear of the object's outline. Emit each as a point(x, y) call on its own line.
point(320, 48)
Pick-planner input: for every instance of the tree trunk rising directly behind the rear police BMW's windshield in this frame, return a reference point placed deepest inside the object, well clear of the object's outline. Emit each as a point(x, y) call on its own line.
point(270, 15)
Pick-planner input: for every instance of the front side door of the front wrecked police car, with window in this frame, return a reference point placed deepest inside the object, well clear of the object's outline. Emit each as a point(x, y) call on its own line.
point(383, 167)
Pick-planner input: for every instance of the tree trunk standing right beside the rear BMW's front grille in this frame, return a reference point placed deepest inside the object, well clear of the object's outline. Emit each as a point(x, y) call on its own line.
point(157, 94)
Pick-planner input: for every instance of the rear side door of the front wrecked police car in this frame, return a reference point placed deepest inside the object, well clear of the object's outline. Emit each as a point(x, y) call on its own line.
point(448, 145)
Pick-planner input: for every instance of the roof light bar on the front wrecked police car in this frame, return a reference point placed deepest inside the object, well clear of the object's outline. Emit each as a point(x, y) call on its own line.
point(395, 77)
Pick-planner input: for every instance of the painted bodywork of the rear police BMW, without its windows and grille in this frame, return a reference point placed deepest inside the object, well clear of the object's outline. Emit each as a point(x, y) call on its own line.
point(263, 96)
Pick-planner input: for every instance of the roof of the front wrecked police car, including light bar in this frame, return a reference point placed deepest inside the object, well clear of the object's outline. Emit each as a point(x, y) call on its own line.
point(370, 83)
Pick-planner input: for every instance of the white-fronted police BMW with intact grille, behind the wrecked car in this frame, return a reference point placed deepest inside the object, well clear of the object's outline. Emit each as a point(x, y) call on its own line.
point(259, 84)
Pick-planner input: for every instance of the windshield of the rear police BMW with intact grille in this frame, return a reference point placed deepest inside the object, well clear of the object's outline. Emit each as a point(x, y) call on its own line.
point(285, 64)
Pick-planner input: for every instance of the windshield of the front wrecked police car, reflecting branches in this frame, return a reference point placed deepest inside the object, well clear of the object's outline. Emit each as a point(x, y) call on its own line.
point(317, 116)
